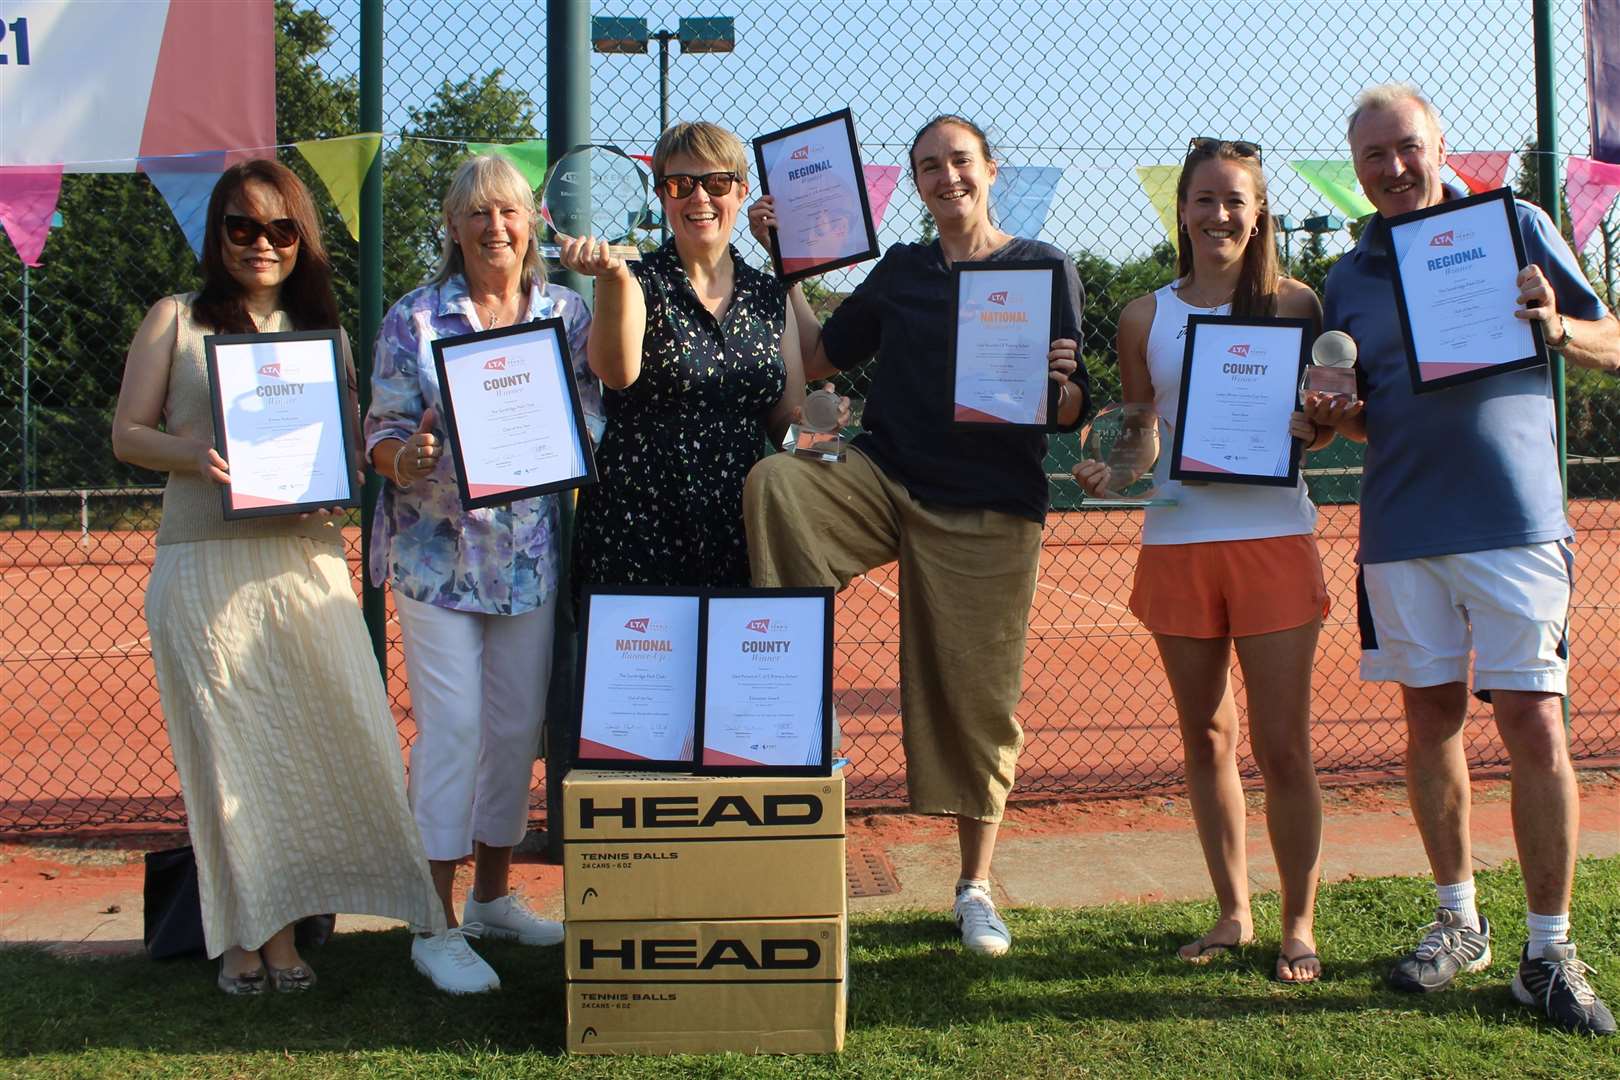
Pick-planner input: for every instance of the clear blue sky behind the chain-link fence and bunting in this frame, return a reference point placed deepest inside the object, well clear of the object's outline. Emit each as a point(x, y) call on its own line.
point(1094, 87)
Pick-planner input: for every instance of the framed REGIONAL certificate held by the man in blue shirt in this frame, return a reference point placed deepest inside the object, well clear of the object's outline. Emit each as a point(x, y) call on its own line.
point(1456, 286)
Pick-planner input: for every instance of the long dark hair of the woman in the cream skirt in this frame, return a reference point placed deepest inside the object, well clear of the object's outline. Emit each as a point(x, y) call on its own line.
point(307, 294)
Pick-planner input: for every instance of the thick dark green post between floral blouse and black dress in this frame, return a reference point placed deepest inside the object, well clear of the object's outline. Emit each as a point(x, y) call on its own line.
point(568, 125)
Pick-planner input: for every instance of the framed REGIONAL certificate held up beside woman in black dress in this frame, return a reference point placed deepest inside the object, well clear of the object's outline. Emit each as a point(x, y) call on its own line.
point(822, 210)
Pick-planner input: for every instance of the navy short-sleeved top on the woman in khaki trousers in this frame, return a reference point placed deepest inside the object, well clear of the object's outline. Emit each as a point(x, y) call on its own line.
point(903, 315)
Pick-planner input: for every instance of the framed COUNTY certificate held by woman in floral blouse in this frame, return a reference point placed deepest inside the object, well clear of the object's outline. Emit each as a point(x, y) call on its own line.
point(514, 415)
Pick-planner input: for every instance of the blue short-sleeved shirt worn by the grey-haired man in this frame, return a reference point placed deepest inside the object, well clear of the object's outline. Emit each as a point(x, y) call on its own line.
point(1465, 469)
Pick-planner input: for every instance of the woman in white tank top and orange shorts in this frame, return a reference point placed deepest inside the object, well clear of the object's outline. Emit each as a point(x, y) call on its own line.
point(1232, 566)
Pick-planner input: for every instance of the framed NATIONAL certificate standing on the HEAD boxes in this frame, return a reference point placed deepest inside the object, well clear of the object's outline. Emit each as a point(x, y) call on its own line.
point(639, 681)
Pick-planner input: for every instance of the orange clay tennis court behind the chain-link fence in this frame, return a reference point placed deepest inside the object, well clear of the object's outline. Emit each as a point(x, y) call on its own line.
point(82, 734)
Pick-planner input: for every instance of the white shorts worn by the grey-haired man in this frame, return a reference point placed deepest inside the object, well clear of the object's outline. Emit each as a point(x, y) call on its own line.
point(1511, 606)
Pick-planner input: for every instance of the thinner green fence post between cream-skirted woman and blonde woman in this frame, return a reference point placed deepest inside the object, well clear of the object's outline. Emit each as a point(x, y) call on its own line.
point(372, 304)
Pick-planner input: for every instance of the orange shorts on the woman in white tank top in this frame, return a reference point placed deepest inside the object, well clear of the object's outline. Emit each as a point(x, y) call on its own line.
point(1229, 589)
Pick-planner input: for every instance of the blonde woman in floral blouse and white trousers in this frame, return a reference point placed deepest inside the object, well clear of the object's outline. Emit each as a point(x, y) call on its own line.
point(475, 590)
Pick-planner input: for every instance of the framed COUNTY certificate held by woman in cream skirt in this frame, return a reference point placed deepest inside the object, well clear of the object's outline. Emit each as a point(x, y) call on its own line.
point(281, 422)
